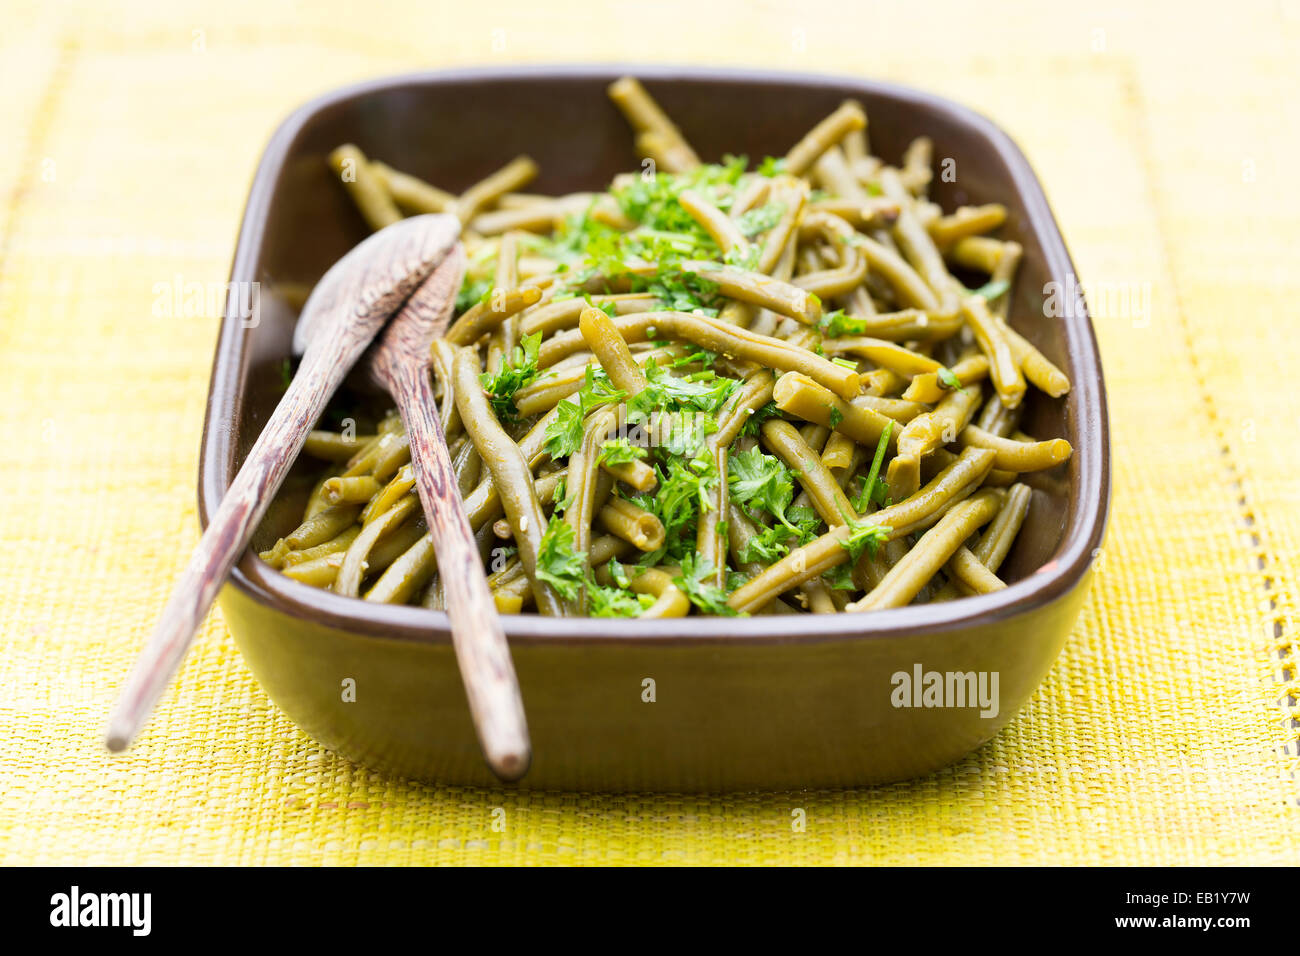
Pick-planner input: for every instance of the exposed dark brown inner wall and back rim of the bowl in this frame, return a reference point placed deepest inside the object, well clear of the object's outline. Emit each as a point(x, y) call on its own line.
point(454, 129)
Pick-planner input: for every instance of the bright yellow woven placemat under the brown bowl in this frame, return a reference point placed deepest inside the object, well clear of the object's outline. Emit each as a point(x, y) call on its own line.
point(1163, 734)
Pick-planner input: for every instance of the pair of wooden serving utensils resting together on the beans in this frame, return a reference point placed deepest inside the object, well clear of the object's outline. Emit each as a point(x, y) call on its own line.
point(414, 266)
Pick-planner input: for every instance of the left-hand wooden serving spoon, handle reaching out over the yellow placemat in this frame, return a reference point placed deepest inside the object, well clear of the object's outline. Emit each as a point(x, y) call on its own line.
point(346, 310)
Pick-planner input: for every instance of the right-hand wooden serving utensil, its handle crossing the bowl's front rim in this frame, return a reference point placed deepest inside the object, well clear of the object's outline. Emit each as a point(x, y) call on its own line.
point(400, 364)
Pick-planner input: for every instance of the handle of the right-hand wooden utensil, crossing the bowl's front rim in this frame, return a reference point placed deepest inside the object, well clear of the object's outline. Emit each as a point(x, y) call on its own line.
point(483, 654)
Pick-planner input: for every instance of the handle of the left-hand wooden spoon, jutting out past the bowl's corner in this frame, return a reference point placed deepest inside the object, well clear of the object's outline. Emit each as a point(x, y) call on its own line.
point(223, 543)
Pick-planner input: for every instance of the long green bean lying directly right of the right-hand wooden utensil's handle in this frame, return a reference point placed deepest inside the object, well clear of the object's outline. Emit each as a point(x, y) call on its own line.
point(512, 477)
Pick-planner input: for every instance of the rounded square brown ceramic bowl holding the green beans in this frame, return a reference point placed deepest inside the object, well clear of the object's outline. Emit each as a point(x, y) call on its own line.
point(757, 703)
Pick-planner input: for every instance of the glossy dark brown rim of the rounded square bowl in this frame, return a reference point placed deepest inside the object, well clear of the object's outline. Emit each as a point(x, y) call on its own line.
point(1086, 517)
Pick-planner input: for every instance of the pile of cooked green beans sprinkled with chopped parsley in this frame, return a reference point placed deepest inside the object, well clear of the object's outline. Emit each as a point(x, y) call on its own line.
point(712, 390)
